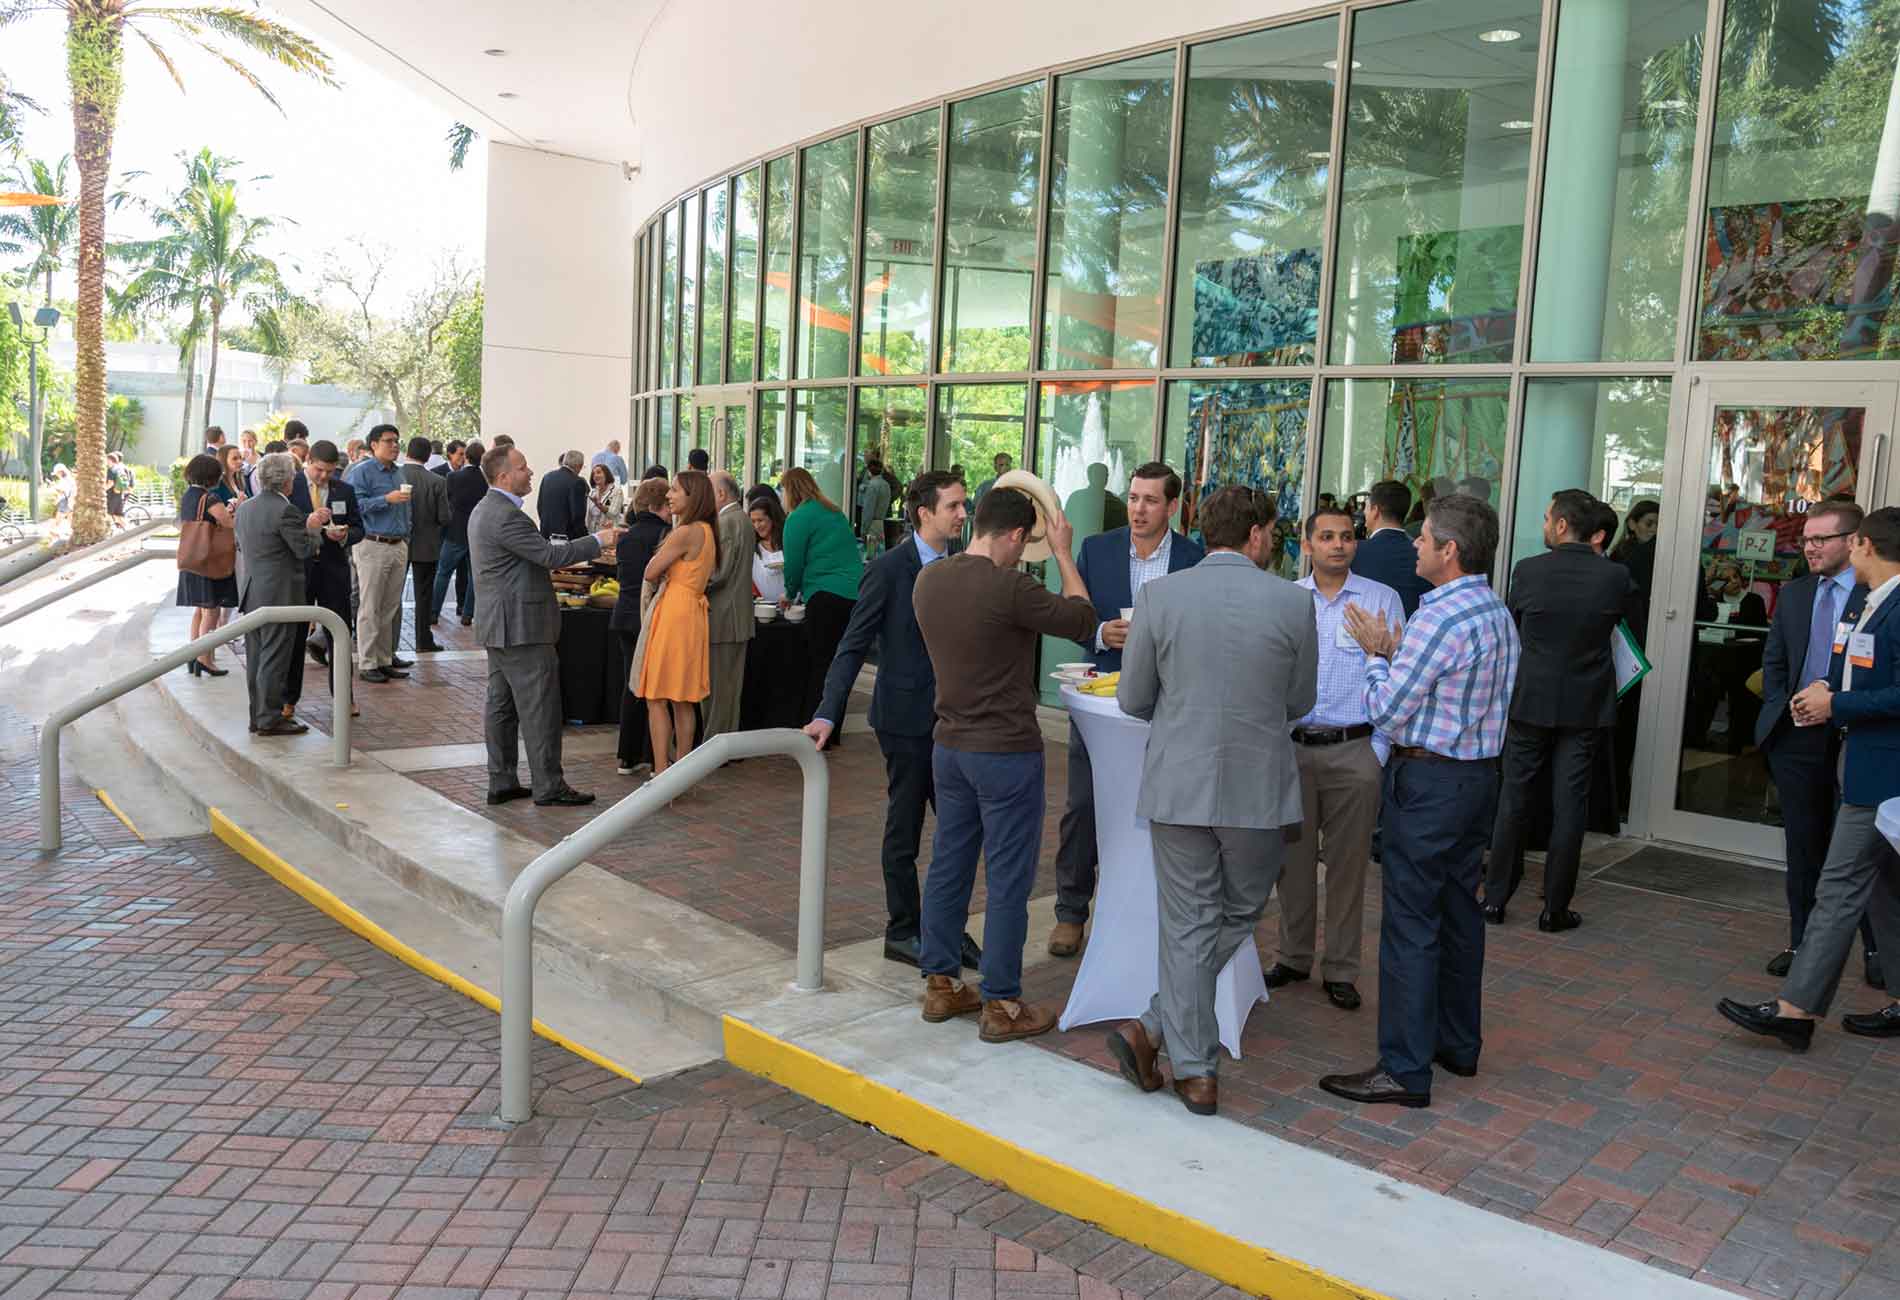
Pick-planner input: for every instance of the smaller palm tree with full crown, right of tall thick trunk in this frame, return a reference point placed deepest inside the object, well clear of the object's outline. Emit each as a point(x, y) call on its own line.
point(206, 258)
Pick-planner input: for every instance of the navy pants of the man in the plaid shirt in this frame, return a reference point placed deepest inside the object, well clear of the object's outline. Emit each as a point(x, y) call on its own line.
point(1432, 936)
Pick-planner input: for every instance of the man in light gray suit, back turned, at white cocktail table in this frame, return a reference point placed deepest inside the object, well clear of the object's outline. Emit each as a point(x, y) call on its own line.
point(1221, 780)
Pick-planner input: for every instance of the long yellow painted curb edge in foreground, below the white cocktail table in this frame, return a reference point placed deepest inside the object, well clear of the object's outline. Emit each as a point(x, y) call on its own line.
point(1069, 1191)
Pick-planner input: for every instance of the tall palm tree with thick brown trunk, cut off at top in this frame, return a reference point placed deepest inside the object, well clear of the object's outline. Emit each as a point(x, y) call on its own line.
point(96, 73)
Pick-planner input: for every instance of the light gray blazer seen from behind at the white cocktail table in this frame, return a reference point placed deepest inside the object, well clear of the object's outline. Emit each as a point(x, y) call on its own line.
point(1223, 659)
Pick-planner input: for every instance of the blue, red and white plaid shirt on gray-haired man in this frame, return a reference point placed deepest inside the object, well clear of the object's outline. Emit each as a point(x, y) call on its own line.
point(1449, 687)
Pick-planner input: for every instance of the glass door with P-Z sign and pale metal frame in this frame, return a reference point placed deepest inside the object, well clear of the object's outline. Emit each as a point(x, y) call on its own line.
point(1757, 461)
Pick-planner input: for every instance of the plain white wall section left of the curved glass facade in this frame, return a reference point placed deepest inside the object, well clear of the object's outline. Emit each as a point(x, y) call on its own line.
point(558, 330)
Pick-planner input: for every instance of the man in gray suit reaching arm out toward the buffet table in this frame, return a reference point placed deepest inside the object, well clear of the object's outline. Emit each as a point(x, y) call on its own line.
point(520, 624)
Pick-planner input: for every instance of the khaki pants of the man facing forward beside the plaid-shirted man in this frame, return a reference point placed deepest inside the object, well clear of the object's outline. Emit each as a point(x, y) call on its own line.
point(1340, 797)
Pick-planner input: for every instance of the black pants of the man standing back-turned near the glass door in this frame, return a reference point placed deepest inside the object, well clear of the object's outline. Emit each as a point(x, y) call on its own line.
point(1570, 755)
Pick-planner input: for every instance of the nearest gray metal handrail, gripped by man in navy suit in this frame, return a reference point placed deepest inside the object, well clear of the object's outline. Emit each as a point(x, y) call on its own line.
point(523, 896)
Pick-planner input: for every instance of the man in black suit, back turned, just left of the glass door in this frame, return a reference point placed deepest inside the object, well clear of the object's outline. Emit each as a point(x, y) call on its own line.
point(1567, 603)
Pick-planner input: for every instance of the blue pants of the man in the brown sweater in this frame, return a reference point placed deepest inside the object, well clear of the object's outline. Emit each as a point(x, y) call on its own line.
point(989, 805)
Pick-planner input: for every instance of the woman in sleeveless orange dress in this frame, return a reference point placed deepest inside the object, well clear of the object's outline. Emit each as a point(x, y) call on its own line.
point(675, 674)
